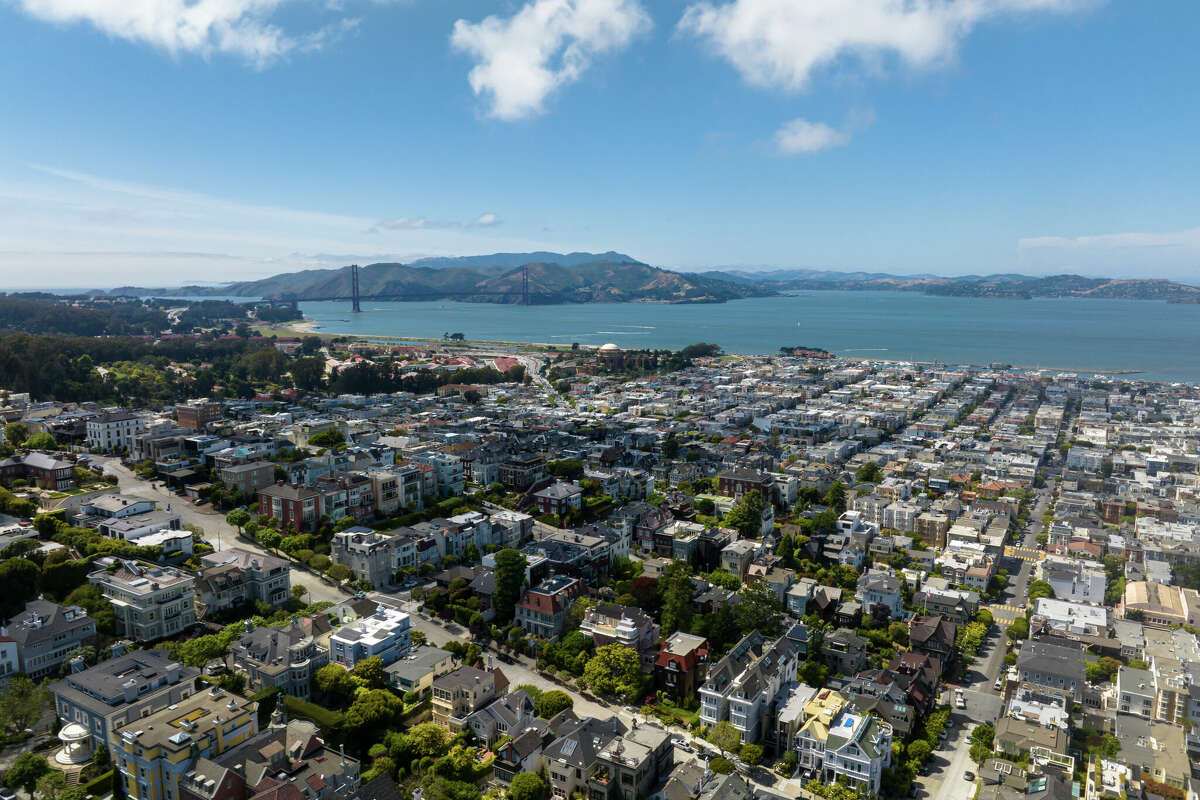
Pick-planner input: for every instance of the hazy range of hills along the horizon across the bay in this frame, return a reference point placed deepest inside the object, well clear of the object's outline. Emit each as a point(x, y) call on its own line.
point(617, 278)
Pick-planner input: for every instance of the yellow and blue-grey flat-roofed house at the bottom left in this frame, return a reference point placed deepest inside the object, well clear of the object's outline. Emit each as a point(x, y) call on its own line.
point(155, 751)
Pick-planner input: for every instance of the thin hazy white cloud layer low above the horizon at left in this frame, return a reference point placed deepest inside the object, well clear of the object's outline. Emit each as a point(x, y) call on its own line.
point(80, 230)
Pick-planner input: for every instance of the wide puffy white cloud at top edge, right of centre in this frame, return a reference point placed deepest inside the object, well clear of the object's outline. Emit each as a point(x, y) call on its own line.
point(783, 43)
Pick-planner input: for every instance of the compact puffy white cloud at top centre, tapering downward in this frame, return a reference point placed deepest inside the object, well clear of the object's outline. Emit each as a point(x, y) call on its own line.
point(547, 45)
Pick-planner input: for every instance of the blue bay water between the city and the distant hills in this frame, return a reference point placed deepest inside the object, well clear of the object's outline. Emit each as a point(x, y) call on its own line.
point(1160, 340)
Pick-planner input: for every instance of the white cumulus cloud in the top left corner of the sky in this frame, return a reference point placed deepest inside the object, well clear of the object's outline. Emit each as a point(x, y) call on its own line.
point(239, 28)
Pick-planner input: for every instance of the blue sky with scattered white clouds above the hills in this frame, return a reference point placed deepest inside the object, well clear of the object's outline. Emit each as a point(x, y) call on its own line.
point(165, 142)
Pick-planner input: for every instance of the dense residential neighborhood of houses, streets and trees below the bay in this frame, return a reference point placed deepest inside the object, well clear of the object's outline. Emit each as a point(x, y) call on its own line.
point(743, 578)
